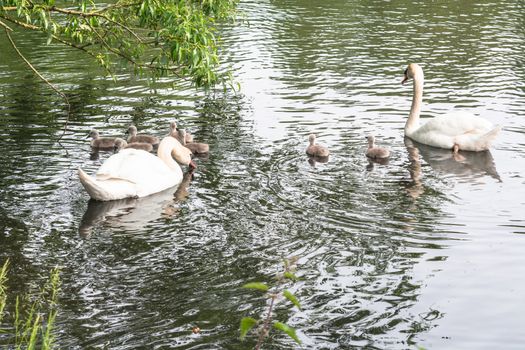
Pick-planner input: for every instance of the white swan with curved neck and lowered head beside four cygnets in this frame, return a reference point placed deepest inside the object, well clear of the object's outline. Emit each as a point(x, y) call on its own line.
point(137, 173)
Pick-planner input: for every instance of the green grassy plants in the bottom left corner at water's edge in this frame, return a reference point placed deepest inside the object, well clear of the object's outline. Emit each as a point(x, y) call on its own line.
point(34, 316)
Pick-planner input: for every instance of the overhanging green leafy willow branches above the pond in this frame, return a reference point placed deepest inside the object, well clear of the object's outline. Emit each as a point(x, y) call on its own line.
point(154, 37)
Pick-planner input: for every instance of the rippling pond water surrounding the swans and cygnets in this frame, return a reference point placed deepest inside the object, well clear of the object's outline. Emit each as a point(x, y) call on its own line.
point(426, 250)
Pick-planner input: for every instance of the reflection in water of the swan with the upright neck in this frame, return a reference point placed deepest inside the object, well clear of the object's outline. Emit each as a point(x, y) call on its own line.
point(467, 166)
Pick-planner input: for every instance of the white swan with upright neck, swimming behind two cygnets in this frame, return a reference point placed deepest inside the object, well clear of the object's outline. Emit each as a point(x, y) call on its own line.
point(456, 131)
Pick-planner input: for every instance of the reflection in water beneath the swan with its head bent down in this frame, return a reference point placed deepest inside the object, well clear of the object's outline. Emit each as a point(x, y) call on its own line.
point(134, 213)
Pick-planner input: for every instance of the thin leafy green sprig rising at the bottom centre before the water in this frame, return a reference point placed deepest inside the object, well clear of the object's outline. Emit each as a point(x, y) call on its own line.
point(273, 294)
